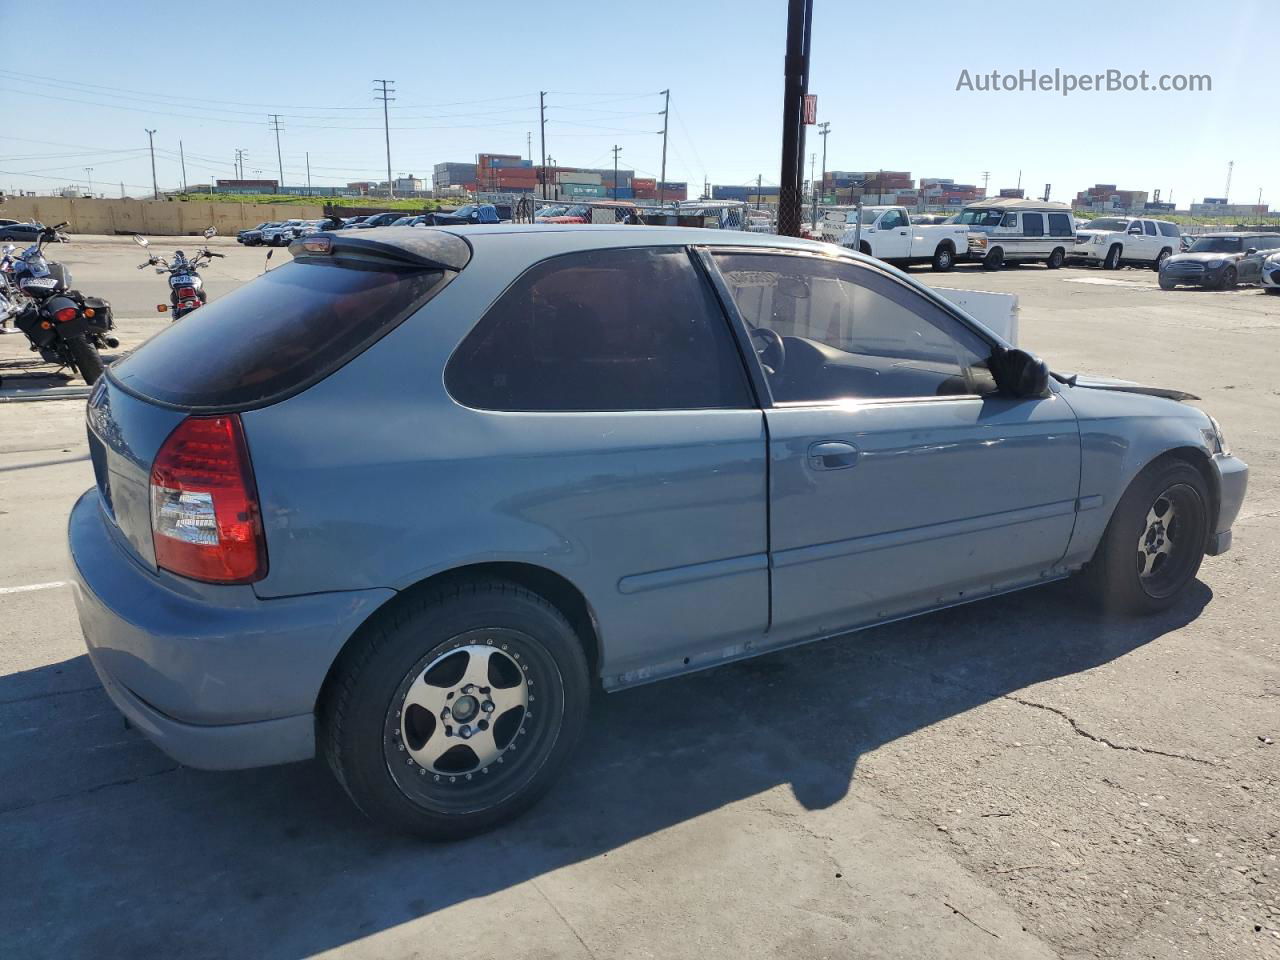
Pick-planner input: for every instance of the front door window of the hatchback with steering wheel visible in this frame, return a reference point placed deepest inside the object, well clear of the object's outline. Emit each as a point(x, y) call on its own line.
point(847, 331)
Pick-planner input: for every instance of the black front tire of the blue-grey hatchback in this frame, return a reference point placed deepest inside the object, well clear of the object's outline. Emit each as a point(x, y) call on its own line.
point(1117, 580)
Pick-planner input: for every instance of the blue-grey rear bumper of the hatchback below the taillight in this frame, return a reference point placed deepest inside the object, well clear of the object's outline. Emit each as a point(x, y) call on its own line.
point(217, 678)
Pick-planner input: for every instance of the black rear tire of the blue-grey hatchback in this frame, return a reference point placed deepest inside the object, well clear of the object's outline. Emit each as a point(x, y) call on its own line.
point(360, 712)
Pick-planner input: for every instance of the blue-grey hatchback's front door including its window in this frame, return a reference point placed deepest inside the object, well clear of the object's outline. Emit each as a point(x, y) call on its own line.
point(900, 479)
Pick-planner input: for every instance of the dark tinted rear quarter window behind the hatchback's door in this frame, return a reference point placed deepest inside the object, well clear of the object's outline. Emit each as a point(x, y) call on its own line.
point(606, 330)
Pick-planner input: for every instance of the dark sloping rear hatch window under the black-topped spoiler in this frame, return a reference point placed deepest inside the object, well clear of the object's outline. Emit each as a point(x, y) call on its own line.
point(277, 335)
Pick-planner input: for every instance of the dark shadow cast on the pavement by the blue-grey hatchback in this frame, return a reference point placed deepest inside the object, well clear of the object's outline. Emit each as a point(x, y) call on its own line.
point(121, 853)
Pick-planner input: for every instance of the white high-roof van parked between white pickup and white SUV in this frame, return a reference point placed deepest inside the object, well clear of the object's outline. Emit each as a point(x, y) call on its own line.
point(1008, 230)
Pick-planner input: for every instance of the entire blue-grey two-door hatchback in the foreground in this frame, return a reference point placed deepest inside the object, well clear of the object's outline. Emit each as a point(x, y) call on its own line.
point(406, 500)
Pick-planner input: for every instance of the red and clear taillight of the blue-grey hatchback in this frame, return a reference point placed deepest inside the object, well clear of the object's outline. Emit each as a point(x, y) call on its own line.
point(205, 520)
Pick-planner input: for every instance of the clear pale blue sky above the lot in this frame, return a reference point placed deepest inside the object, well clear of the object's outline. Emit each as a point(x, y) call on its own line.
point(468, 77)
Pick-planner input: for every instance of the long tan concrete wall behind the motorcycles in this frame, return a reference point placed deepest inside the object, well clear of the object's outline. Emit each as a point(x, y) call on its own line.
point(153, 218)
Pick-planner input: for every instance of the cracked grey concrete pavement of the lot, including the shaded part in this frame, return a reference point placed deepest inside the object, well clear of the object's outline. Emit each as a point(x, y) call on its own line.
point(1014, 779)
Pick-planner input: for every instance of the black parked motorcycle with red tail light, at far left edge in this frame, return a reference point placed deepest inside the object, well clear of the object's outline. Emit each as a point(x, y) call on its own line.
point(62, 324)
